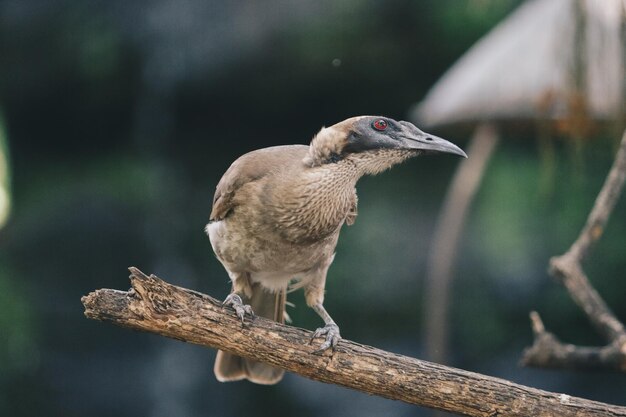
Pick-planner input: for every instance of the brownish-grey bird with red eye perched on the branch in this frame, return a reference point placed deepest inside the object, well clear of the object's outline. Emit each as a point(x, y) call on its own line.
point(277, 213)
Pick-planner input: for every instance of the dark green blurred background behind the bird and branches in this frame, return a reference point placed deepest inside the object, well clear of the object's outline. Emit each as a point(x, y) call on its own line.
point(118, 119)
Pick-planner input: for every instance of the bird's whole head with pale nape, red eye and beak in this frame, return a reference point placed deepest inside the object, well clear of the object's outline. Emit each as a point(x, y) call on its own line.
point(374, 143)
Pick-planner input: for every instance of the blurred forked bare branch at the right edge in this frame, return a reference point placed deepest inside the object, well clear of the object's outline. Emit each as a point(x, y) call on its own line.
point(547, 351)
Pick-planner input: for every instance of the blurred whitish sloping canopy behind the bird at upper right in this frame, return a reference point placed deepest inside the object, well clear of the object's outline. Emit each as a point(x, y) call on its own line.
point(550, 58)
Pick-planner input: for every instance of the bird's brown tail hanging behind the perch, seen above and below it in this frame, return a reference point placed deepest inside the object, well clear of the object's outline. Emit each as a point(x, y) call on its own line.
point(229, 367)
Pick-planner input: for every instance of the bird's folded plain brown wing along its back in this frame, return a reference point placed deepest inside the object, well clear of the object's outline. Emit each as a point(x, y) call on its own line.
point(252, 167)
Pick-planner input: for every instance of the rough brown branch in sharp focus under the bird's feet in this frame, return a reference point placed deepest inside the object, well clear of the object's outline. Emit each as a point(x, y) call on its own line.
point(155, 306)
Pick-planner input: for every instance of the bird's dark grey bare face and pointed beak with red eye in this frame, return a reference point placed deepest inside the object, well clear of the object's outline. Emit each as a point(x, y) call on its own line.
point(376, 132)
